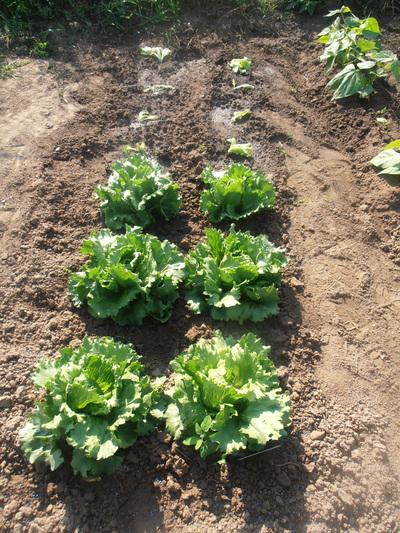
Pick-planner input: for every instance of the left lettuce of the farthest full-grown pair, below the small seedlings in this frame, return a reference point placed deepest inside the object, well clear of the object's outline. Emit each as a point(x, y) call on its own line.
point(138, 191)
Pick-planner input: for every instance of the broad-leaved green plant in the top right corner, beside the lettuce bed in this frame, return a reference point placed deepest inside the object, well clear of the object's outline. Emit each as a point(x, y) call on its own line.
point(355, 45)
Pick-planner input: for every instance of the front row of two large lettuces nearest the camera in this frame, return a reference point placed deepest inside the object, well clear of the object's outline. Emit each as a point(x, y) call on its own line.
point(225, 398)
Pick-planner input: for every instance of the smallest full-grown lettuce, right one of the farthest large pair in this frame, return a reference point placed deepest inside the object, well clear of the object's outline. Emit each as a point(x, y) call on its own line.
point(235, 193)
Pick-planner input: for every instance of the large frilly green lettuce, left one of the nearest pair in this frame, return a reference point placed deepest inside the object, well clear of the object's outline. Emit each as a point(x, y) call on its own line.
point(97, 402)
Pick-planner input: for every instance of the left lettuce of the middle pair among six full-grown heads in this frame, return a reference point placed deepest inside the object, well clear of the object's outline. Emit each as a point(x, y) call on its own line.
point(128, 277)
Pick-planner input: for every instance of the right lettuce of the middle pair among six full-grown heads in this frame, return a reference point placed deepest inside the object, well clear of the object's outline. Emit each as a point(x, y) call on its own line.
point(234, 277)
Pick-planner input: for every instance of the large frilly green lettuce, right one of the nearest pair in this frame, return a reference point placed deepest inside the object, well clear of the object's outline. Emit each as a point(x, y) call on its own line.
point(226, 397)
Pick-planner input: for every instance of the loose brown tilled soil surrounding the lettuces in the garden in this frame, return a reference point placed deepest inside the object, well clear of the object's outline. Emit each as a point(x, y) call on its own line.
point(336, 340)
